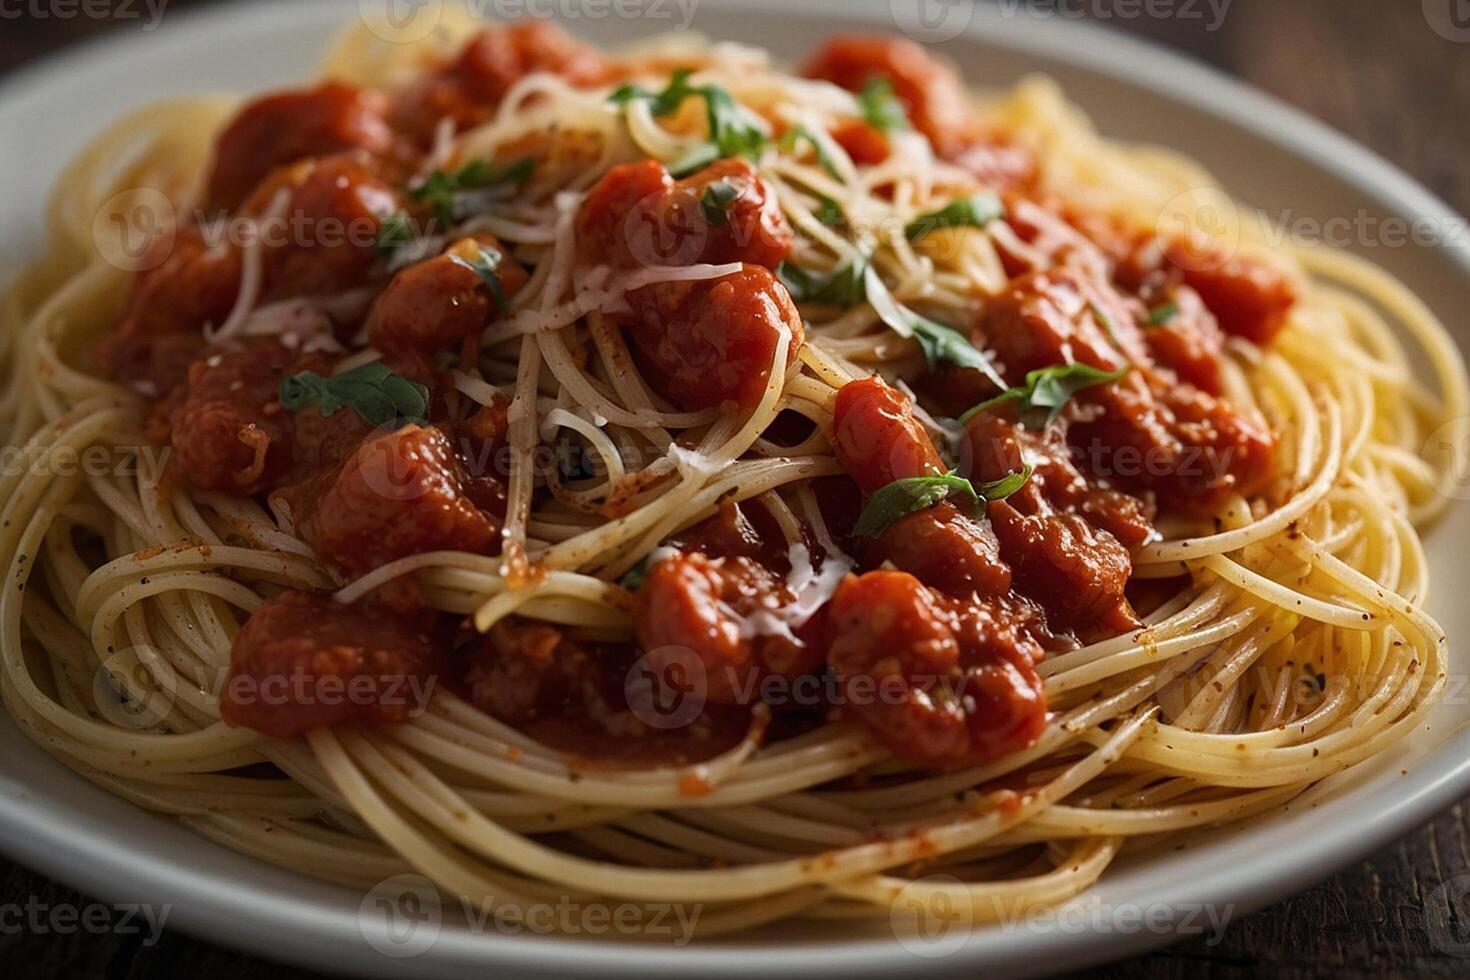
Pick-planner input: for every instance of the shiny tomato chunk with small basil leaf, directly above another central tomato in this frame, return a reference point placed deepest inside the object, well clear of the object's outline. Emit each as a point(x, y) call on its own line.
point(639, 215)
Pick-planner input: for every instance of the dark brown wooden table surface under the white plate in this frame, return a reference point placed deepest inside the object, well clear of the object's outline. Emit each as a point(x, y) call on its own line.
point(1377, 70)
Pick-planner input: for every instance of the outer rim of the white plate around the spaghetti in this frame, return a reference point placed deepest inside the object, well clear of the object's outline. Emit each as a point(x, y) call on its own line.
point(233, 913)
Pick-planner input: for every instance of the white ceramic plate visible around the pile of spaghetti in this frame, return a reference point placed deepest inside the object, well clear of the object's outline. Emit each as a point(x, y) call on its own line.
point(1265, 152)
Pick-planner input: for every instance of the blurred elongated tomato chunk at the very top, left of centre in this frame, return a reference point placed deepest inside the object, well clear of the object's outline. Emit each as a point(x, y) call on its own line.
point(470, 89)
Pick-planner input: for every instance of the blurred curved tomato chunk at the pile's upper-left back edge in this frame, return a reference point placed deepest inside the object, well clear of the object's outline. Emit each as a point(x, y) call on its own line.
point(282, 130)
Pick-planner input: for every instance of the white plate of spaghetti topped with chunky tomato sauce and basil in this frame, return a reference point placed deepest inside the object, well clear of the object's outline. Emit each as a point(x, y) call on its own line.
point(734, 506)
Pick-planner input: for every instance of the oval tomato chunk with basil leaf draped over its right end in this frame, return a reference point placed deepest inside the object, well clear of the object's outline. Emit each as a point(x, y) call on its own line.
point(440, 303)
